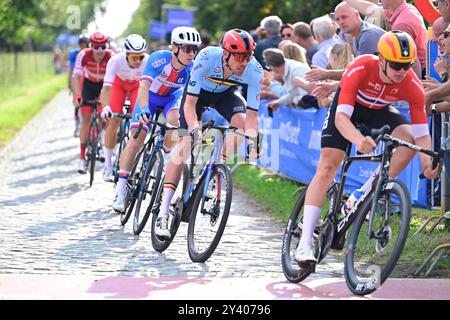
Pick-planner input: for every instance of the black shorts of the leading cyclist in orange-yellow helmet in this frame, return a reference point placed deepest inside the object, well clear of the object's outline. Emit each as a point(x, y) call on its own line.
point(369, 118)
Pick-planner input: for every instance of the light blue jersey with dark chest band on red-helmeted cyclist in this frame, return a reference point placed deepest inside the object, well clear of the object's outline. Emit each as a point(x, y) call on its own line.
point(207, 74)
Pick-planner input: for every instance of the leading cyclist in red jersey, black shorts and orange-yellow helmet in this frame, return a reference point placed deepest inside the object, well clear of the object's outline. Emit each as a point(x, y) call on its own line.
point(365, 94)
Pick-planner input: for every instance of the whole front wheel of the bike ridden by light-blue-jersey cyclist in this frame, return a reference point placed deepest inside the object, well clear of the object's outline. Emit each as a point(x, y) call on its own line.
point(210, 214)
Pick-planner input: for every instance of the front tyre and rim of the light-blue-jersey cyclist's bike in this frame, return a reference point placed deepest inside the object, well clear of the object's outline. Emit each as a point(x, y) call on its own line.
point(203, 255)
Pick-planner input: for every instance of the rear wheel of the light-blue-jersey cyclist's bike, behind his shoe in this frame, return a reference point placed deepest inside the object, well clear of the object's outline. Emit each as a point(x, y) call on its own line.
point(161, 244)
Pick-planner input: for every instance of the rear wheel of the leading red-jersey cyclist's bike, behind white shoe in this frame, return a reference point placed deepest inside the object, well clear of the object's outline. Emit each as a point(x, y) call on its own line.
point(292, 271)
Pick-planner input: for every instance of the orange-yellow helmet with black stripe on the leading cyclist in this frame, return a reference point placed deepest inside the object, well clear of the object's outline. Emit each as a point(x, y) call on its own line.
point(397, 46)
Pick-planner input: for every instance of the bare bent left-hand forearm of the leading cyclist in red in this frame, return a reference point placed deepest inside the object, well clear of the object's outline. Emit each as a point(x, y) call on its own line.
point(349, 132)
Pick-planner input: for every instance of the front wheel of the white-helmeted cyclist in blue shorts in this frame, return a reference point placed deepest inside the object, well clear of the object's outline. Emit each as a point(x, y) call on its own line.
point(156, 159)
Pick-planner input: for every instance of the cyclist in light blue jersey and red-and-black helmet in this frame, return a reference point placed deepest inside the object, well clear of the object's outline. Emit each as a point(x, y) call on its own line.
point(217, 79)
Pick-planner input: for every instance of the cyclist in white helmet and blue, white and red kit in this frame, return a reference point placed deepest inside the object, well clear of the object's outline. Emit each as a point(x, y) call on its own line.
point(165, 75)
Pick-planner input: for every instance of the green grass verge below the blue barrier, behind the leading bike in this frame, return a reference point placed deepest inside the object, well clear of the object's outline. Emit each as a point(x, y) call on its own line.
point(275, 194)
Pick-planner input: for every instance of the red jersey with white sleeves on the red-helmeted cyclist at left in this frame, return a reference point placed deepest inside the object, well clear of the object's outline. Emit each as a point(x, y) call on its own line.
point(93, 70)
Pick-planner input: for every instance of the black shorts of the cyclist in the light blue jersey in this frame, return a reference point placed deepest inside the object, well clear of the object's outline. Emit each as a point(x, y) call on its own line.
point(227, 103)
